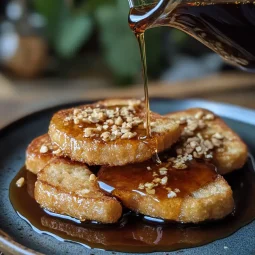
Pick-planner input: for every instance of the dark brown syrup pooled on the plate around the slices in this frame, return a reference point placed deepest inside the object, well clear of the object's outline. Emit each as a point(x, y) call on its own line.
point(137, 233)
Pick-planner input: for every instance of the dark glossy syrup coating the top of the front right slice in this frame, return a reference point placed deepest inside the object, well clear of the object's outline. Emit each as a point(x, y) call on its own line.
point(128, 178)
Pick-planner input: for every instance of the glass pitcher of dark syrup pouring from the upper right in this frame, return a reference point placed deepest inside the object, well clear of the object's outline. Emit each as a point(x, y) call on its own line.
point(227, 27)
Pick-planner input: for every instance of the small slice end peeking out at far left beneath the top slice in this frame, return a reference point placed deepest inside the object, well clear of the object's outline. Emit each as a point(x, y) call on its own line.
point(39, 153)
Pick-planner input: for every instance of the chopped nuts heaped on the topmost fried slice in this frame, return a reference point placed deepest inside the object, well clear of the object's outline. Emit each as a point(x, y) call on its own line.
point(113, 123)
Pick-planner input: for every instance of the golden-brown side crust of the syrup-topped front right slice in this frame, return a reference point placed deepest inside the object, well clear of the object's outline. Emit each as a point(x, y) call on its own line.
point(214, 201)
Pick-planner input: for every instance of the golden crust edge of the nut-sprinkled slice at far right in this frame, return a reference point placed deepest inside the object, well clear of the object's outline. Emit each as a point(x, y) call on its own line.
point(234, 153)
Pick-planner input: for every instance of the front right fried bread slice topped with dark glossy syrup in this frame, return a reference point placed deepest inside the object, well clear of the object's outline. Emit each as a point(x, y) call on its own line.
point(194, 194)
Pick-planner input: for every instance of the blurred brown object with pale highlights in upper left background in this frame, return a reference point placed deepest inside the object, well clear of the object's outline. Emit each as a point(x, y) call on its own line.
point(23, 49)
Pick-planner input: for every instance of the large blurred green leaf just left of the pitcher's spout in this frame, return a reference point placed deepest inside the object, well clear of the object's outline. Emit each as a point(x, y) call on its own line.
point(119, 43)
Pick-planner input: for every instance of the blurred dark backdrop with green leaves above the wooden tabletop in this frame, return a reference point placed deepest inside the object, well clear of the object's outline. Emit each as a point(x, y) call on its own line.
point(86, 38)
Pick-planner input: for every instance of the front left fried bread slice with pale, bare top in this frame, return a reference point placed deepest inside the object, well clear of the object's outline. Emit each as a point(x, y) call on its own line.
point(70, 188)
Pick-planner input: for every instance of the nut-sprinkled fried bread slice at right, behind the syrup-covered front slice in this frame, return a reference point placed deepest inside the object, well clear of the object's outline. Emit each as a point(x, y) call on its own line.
point(206, 135)
